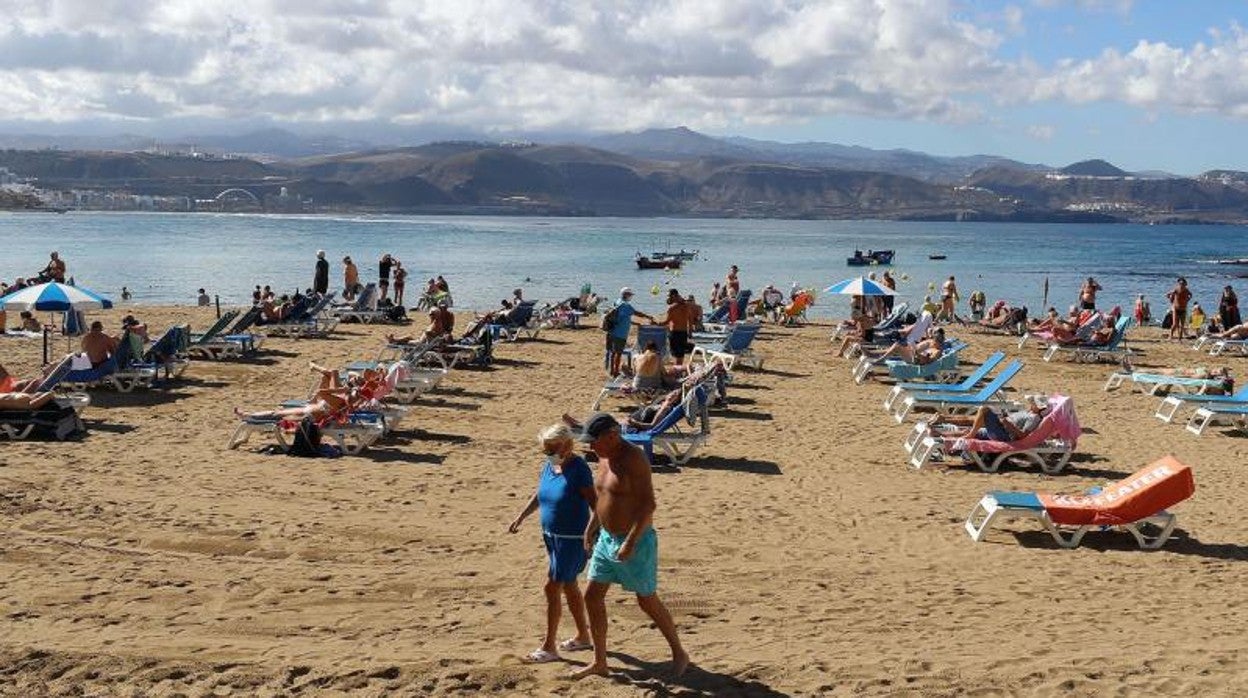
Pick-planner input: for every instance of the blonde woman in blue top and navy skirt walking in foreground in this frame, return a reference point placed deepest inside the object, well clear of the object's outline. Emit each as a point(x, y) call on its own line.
point(565, 496)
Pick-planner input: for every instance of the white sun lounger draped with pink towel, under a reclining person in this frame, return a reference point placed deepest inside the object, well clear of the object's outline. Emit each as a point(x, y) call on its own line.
point(1049, 446)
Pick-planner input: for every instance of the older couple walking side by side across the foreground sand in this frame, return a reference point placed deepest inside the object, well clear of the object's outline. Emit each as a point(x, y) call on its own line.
point(606, 516)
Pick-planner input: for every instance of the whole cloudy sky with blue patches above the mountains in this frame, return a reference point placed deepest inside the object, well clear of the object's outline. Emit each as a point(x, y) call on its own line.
point(1145, 84)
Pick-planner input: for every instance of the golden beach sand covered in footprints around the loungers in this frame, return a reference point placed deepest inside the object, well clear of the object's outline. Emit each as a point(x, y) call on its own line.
point(798, 553)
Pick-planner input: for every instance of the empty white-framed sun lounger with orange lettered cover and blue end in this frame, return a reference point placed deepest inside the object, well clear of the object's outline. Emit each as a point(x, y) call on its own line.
point(1133, 504)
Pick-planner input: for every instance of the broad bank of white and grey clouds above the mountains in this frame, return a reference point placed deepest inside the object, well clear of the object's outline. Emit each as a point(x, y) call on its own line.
point(596, 64)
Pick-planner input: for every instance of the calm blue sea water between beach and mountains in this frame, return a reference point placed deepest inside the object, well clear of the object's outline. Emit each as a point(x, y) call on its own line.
point(165, 258)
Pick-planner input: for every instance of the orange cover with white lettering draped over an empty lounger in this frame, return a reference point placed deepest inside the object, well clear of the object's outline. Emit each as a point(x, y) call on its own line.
point(1149, 491)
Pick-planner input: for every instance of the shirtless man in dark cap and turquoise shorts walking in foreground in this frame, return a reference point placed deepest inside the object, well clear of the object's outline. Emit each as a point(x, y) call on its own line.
point(623, 545)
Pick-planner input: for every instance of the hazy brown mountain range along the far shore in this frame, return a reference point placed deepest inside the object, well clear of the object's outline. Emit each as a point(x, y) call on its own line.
point(667, 172)
